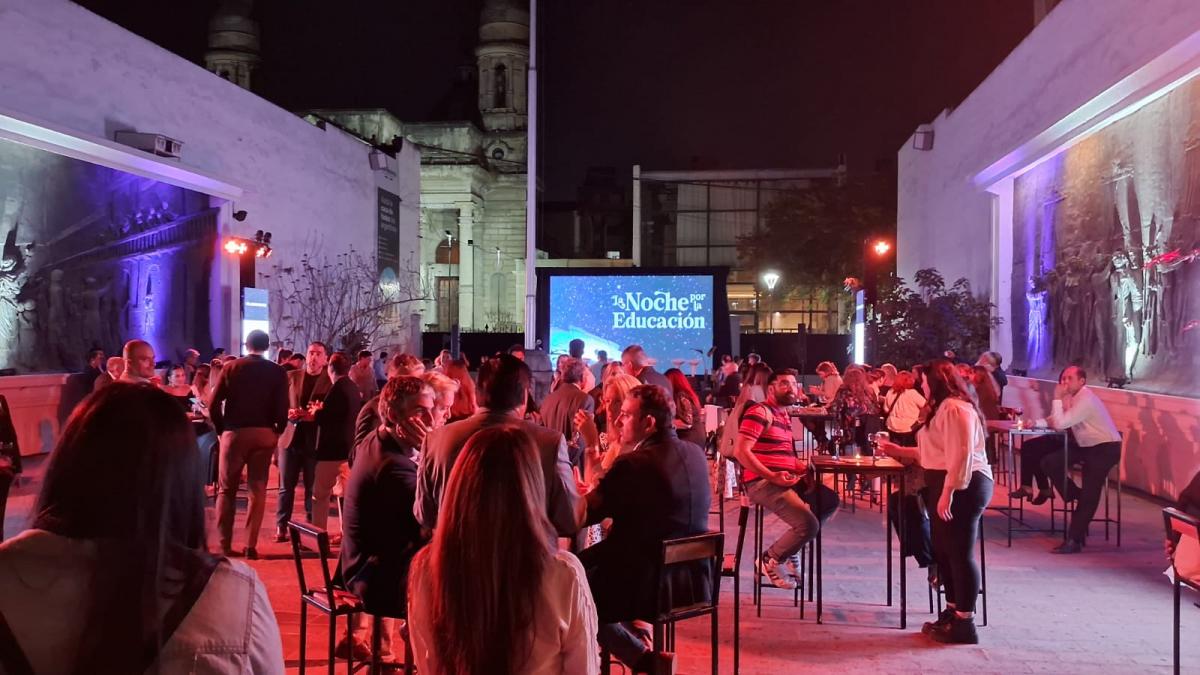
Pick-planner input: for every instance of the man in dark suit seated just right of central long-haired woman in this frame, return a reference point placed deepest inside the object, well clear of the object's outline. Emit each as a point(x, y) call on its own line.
point(655, 493)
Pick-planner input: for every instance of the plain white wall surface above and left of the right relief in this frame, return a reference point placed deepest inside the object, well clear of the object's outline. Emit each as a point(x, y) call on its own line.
point(1082, 50)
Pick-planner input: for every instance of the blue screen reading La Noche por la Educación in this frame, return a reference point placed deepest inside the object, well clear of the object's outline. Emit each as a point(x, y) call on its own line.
point(670, 316)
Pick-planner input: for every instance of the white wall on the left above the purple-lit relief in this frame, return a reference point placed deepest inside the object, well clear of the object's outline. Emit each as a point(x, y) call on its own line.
point(63, 64)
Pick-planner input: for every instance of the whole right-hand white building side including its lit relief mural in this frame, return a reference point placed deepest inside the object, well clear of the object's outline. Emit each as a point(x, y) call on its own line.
point(1066, 189)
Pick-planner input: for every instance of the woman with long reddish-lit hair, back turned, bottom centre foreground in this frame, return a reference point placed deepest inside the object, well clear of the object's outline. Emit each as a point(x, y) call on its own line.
point(490, 594)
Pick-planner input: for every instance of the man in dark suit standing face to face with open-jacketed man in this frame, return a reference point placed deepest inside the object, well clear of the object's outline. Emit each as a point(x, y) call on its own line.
point(335, 434)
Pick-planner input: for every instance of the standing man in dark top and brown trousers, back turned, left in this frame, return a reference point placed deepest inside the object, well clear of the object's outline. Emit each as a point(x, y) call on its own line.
point(250, 410)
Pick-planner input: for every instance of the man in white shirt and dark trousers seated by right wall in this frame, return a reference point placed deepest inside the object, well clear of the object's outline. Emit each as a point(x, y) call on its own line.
point(1093, 441)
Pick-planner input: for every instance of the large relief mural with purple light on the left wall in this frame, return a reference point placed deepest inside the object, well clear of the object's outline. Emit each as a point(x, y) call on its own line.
point(94, 258)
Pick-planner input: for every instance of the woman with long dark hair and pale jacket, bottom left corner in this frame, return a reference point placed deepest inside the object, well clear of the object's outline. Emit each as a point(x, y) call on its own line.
point(115, 576)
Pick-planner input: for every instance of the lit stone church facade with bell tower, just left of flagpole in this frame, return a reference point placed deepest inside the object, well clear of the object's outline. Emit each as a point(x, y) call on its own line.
point(473, 181)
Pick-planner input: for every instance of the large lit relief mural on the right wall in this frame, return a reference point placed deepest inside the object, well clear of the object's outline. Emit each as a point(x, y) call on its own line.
point(1107, 252)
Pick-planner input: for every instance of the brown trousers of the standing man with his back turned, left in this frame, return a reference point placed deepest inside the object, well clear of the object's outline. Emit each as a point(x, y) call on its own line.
point(249, 449)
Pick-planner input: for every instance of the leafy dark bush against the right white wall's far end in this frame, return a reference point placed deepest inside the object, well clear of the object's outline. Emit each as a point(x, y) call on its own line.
point(911, 326)
